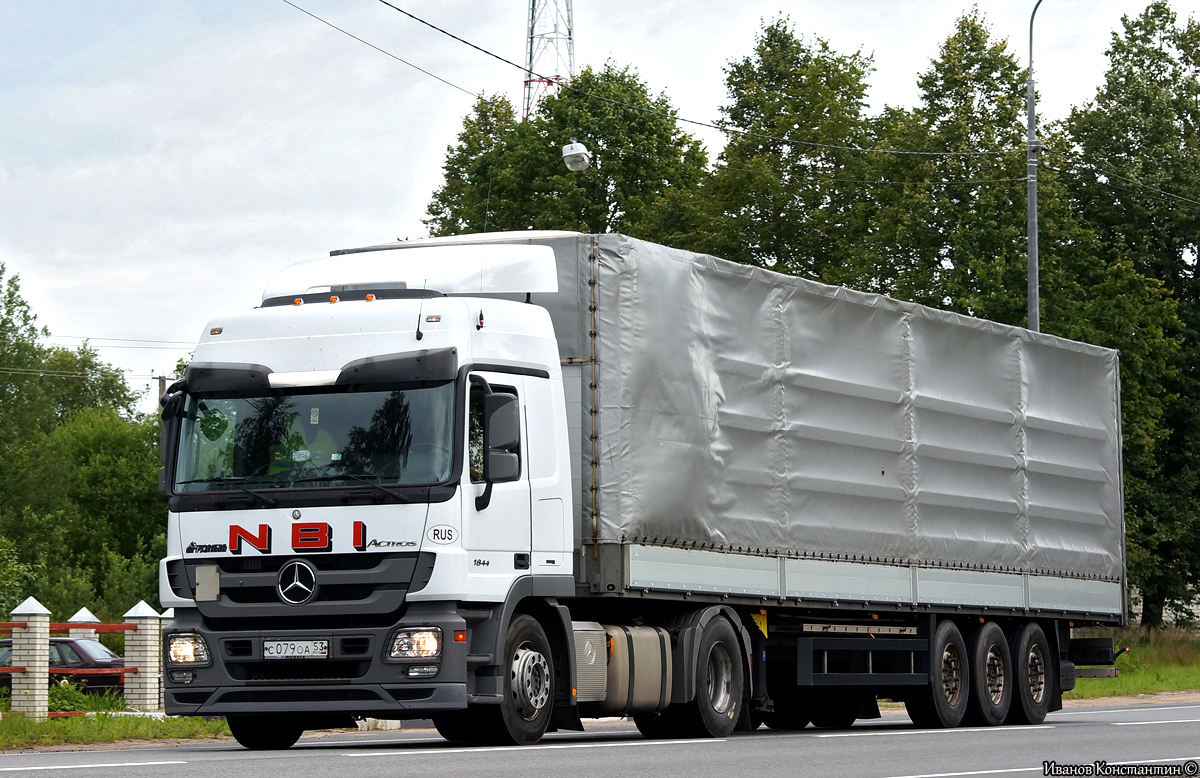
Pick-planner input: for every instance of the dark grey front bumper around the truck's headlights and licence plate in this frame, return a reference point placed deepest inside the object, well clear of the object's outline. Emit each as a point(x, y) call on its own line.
point(355, 680)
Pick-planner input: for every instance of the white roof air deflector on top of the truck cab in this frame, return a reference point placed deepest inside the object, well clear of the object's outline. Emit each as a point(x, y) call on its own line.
point(453, 270)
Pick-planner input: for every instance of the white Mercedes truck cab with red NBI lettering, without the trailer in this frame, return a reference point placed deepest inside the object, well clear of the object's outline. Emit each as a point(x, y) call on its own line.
point(363, 474)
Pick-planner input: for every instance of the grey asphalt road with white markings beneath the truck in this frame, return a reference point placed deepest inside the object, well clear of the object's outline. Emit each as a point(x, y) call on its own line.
point(885, 749)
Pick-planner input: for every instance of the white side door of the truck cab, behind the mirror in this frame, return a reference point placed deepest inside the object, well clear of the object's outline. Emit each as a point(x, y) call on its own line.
point(497, 536)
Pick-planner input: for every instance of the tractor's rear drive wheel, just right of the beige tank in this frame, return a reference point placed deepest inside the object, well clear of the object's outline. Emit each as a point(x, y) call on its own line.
point(719, 684)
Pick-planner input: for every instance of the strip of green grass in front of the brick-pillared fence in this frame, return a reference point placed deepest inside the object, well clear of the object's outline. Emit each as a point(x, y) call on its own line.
point(20, 733)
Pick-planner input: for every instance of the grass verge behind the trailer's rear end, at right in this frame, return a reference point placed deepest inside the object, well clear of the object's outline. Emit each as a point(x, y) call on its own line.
point(1159, 661)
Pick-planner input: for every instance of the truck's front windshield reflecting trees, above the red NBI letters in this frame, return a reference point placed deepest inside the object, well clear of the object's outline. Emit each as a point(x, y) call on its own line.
point(403, 436)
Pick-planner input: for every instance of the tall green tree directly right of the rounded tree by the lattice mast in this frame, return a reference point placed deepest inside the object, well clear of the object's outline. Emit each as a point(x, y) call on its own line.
point(783, 204)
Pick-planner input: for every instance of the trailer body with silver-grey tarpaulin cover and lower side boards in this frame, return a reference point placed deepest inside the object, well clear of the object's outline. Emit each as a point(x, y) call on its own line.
point(761, 434)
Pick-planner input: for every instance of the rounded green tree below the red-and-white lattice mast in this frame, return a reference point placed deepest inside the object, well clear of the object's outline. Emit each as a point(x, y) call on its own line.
point(505, 175)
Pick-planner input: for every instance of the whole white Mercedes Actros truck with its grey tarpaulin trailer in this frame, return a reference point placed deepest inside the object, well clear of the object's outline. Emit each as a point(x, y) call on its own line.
point(518, 481)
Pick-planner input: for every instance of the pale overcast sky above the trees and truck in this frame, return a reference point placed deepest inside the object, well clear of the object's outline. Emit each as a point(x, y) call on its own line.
point(161, 160)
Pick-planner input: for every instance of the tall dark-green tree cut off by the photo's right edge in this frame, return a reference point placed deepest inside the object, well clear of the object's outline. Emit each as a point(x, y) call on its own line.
point(1142, 129)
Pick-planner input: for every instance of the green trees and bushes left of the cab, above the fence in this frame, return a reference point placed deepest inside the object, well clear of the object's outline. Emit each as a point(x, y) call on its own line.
point(81, 518)
